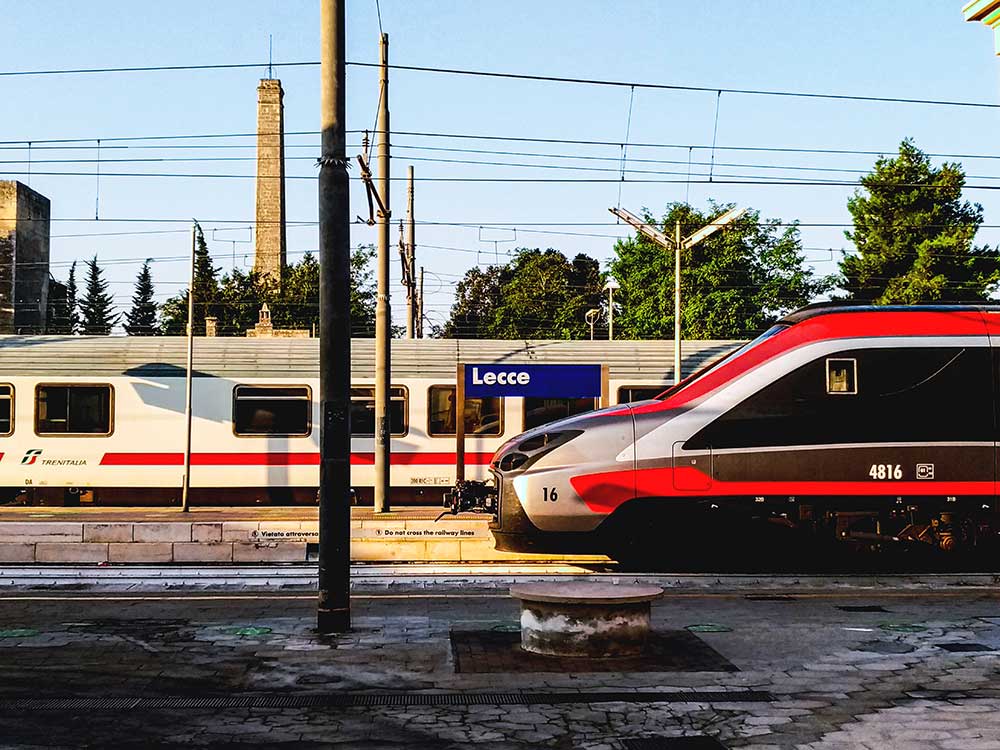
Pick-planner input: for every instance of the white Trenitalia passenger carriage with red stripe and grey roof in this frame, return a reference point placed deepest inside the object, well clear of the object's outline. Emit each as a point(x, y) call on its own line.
point(101, 419)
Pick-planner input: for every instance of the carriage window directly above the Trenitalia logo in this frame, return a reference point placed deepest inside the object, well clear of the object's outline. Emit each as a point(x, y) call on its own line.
point(73, 410)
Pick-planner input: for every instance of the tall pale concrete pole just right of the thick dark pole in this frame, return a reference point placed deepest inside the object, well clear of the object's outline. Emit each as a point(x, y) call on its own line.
point(383, 316)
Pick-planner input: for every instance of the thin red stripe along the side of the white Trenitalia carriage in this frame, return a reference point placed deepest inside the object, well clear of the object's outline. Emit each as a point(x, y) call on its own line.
point(284, 459)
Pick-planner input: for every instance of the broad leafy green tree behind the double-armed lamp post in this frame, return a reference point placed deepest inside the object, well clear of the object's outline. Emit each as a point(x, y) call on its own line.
point(733, 284)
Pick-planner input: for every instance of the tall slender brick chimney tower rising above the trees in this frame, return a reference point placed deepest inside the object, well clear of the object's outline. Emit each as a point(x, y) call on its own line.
point(269, 234)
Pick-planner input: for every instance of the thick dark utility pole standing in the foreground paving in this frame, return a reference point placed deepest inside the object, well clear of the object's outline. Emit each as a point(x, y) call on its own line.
point(334, 604)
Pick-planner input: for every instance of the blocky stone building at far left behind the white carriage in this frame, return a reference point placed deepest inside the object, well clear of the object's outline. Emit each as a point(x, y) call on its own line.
point(24, 259)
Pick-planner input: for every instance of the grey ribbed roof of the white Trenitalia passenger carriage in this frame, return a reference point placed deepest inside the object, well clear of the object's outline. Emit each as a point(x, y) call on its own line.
point(165, 356)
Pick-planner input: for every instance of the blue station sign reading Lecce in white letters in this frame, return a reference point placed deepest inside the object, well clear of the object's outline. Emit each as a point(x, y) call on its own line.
point(539, 381)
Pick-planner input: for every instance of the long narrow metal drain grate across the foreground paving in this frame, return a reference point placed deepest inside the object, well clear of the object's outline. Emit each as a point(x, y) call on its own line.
point(352, 700)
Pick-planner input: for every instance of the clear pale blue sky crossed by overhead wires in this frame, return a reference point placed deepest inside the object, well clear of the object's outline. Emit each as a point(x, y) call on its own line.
point(917, 48)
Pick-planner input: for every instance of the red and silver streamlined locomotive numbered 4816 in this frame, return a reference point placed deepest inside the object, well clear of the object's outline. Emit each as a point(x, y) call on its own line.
point(874, 425)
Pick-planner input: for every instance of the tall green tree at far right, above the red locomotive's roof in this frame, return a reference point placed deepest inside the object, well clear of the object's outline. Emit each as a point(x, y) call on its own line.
point(914, 233)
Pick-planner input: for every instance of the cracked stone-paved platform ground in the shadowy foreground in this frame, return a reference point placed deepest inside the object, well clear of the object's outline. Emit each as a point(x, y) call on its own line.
point(810, 674)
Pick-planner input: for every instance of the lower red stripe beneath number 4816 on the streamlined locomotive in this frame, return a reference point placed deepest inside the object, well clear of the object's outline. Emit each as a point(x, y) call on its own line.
point(603, 493)
